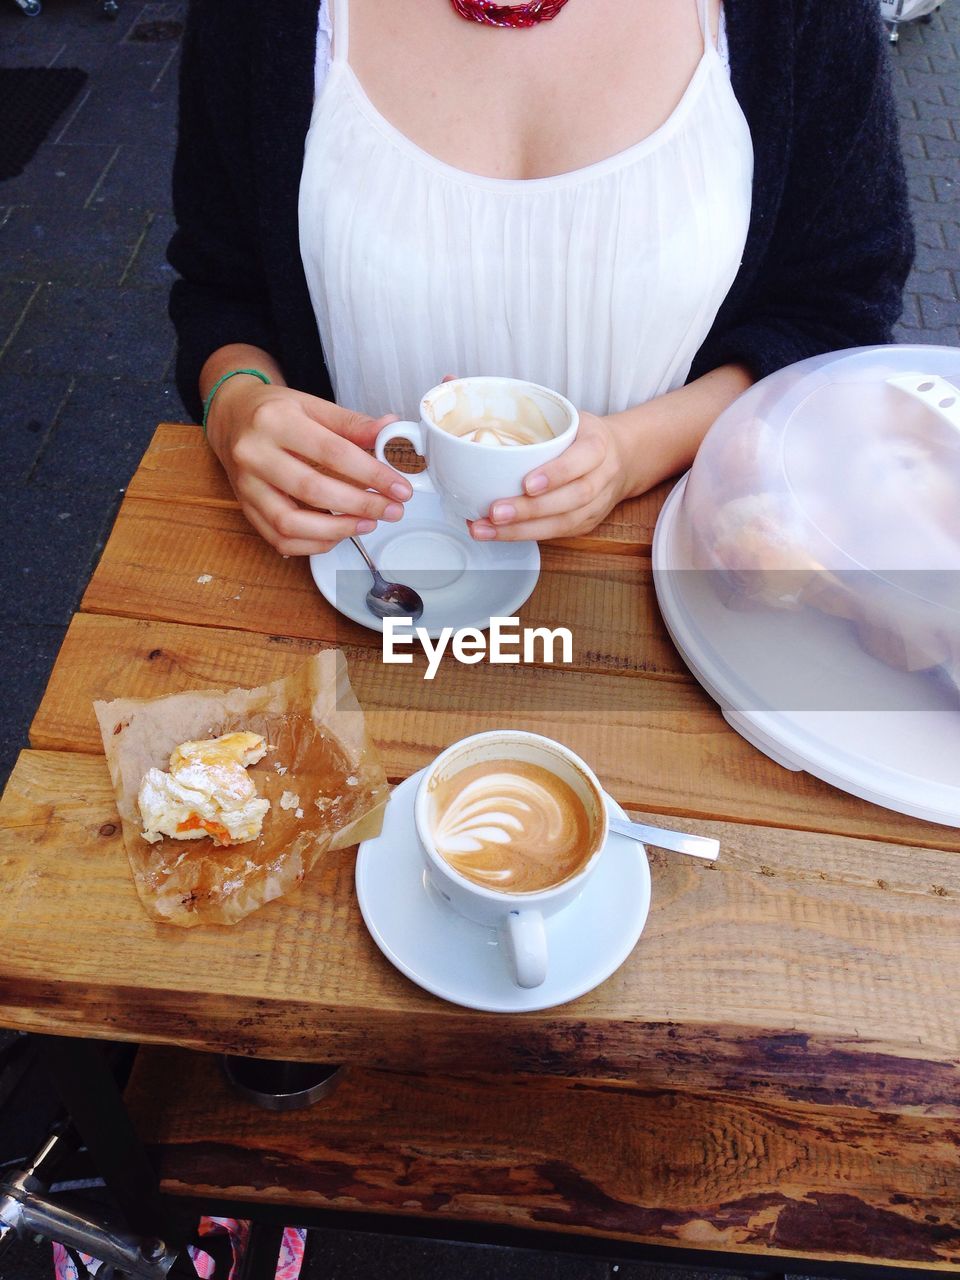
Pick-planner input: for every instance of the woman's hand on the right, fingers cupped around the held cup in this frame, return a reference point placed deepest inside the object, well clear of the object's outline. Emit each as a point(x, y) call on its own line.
point(566, 497)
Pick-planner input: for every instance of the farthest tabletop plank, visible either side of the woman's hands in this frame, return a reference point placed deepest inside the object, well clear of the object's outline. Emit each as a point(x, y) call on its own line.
point(181, 468)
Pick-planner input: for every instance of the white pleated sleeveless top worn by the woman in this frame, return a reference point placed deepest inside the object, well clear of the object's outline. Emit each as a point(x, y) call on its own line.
point(601, 284)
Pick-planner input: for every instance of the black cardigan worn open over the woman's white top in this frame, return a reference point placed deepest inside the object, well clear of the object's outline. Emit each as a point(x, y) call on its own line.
point(830, 240)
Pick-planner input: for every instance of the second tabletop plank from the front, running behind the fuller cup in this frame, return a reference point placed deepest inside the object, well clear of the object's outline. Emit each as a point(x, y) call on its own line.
point(657, 746)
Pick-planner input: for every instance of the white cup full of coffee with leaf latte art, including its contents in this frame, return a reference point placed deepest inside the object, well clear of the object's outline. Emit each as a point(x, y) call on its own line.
point(511, 828)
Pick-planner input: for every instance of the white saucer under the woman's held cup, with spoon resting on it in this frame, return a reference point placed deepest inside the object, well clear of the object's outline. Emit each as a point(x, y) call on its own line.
point(463, 583)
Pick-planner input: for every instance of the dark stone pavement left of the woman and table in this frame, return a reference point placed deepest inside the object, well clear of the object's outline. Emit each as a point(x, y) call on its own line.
point(86, 349)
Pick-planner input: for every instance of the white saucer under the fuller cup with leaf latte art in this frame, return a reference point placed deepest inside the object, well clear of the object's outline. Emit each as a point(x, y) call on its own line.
point(461, 962)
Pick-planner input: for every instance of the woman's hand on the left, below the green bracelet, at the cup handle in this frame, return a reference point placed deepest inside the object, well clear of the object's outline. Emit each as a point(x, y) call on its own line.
point(271, 441)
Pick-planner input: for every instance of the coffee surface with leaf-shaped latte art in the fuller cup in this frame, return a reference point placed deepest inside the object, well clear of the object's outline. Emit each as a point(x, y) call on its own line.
point(511, 826)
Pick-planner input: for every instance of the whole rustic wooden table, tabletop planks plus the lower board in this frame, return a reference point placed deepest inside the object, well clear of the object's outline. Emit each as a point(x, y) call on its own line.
point(775, 1071)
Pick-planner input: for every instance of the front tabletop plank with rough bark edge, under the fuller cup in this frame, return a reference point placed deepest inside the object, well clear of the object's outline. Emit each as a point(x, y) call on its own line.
point(804, 967)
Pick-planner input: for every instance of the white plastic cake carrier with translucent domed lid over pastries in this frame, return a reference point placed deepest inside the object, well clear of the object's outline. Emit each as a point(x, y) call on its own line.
point(810, 564)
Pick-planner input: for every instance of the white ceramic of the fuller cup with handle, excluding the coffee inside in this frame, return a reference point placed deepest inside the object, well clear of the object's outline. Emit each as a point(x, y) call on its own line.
point(518, 916)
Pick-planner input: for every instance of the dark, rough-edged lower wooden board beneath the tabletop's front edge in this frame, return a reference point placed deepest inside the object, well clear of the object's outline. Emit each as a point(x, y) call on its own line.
point(697, 1171)
